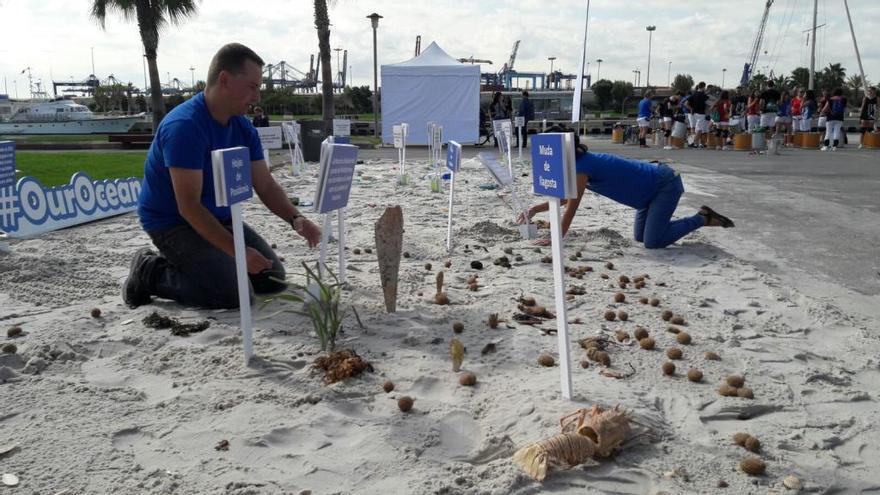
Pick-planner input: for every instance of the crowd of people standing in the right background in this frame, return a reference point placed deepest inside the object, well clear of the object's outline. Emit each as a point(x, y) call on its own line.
point(780, 112)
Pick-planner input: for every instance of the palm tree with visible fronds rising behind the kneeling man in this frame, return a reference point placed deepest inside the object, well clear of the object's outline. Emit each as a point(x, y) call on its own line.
point(151, 16)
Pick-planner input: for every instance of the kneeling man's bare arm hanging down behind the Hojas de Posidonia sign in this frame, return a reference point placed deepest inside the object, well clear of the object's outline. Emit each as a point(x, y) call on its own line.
point(187, 184)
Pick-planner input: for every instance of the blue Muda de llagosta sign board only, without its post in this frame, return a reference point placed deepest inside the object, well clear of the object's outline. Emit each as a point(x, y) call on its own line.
point(553, 165)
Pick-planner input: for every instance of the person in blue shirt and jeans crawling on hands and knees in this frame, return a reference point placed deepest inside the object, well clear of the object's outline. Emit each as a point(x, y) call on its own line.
point(653, 189)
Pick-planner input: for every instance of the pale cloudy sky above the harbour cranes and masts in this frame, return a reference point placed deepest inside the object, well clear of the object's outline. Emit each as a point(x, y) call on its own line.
point(55, 38)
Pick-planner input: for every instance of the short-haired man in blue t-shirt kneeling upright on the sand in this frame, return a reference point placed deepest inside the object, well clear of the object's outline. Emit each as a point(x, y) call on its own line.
point(195, 265)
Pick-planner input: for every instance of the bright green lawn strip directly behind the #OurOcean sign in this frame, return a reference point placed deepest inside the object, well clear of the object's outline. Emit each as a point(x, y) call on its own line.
point(54, 169)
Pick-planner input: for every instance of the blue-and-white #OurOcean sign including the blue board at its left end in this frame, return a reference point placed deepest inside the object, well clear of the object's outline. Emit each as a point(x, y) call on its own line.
point(27, 208)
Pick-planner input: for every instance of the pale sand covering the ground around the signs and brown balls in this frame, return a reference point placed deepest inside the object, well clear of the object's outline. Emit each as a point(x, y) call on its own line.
point(122, 408)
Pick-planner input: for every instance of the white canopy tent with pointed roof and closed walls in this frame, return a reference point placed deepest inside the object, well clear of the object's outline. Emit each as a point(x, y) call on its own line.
point(432, 87)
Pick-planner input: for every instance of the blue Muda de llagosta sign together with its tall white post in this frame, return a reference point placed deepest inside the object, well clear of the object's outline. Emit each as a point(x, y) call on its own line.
point(553, 175)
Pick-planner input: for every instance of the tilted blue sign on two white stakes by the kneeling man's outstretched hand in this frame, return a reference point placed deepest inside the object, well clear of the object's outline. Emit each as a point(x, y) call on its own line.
point(334, 187)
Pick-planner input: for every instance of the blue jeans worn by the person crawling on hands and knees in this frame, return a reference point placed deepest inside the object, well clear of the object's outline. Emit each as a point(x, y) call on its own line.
point(654, 225)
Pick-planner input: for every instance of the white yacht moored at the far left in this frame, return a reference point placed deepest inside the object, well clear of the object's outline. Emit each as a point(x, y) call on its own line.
point(65, 117)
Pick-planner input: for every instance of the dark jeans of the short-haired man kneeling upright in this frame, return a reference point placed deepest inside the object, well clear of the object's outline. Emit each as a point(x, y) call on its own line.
point(193, 272)
